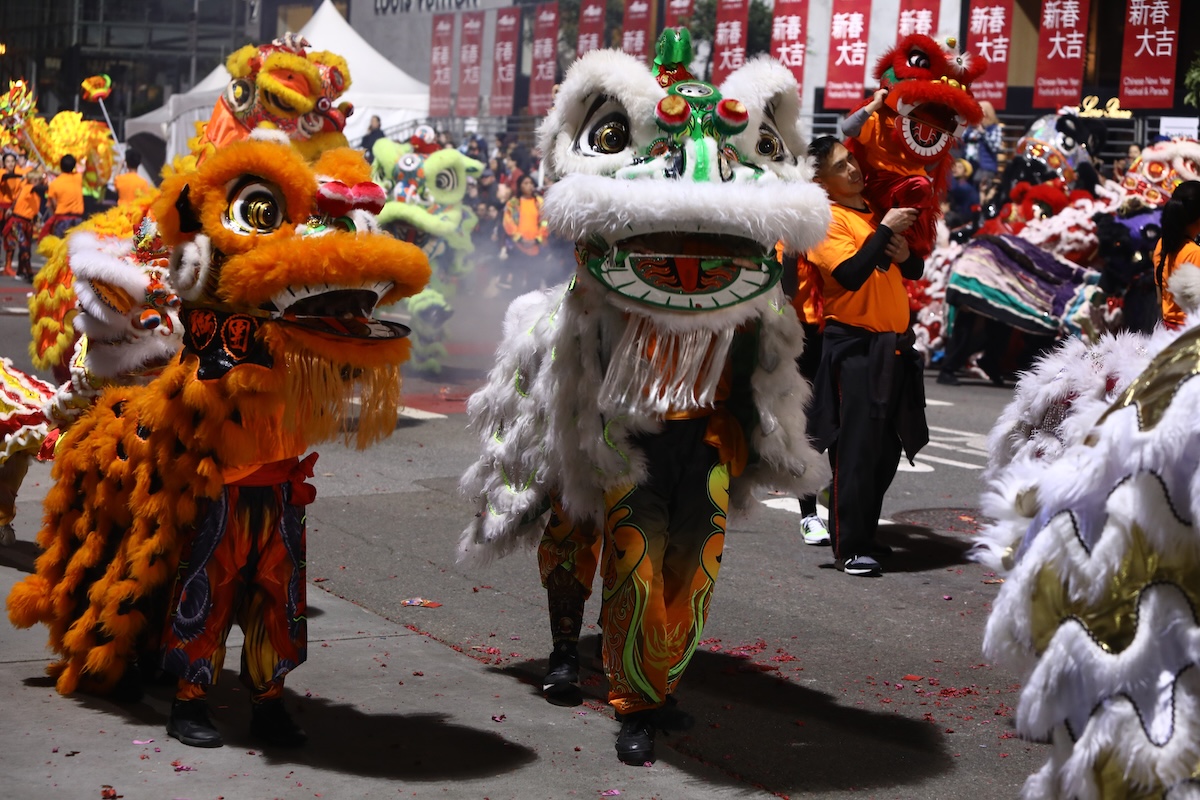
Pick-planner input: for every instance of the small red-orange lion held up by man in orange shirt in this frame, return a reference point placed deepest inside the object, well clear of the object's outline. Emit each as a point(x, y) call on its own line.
point(904, 142)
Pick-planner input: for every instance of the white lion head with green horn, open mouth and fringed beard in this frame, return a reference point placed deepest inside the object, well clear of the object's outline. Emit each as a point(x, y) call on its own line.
point(661, 183)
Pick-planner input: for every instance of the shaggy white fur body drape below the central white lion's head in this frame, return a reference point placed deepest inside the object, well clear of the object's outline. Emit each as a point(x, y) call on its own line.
point(547, 434)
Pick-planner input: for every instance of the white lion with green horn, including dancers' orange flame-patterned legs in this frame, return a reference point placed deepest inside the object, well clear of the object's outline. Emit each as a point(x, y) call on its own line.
point(662, 381)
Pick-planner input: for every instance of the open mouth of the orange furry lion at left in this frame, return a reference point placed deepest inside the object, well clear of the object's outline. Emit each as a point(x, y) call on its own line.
point(335, 310)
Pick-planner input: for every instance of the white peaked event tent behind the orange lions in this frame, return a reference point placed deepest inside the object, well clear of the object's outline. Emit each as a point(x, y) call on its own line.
point(377, 88)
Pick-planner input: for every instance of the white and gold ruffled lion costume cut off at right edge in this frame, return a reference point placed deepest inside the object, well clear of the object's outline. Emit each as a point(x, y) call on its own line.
point(1095, 486)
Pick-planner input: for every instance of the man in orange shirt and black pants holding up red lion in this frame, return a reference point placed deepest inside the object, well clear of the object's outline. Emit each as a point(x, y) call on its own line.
point(869, 402)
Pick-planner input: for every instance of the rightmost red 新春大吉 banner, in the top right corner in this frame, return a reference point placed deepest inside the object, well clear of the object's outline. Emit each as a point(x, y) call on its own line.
point(1151, 45)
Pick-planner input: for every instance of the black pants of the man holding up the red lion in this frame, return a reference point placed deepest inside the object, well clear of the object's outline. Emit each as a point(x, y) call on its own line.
point(865, 459)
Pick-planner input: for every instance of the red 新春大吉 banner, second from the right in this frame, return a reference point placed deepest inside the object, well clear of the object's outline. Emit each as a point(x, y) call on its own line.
point(1061, 46)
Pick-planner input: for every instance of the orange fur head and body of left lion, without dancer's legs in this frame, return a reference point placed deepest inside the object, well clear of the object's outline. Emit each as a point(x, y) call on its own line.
point(247, 228)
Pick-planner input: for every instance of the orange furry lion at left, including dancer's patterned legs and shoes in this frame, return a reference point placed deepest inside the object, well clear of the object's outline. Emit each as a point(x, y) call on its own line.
point(280, 266)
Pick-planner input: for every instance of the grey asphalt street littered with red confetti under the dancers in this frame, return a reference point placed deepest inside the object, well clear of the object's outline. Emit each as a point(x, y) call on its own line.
point(809, 683)
